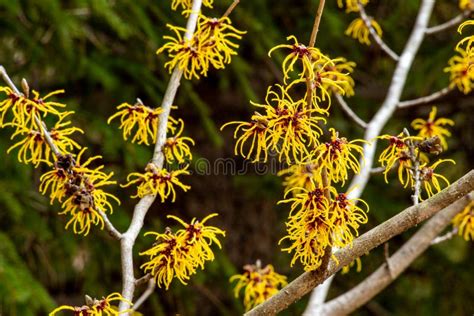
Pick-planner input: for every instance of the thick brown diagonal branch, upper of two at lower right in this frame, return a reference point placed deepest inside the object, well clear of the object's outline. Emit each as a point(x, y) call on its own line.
point(394, 226)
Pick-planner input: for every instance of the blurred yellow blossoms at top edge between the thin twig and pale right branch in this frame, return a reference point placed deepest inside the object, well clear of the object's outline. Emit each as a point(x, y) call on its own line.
point(358, 29)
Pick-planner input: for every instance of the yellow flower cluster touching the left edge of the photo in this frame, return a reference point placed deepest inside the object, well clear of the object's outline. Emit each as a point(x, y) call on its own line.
point(24, 114)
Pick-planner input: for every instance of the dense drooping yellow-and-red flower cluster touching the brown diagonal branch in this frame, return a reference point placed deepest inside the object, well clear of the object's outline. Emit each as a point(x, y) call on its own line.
point(321, 218)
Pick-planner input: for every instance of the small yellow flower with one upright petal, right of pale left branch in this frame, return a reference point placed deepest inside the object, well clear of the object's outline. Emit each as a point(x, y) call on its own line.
point(177, 147)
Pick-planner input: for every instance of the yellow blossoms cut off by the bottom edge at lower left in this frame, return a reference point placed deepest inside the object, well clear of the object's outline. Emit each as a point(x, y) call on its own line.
point(95, 307)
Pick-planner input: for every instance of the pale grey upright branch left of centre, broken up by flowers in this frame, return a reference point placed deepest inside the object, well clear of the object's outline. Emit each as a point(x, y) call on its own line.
point(142, 207)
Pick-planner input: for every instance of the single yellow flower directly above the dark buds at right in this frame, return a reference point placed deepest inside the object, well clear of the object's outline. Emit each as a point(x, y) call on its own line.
point(433, 127)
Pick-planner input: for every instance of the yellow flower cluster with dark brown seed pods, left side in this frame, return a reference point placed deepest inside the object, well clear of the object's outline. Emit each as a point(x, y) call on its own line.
point(79, 188)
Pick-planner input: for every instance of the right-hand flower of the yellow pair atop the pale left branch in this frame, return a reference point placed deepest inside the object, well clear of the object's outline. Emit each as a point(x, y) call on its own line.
point(219, 32)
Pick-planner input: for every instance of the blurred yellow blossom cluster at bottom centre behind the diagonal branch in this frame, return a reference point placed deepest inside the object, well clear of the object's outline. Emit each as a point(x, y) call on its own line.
point(258, 284)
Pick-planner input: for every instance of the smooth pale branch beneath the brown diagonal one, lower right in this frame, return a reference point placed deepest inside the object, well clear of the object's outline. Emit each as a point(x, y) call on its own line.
point(399, 262)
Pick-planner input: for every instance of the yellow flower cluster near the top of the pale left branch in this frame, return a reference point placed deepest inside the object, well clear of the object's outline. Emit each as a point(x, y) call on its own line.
point(210, 45)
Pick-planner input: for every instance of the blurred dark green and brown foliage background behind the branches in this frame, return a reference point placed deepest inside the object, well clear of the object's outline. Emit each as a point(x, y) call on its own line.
point(103, 53)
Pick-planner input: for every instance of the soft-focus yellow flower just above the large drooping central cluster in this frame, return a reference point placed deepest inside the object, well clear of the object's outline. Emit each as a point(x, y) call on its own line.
point(300, 176)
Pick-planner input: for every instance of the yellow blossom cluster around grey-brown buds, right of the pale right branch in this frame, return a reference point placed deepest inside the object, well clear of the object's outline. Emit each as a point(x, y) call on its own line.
point(404, 150)
